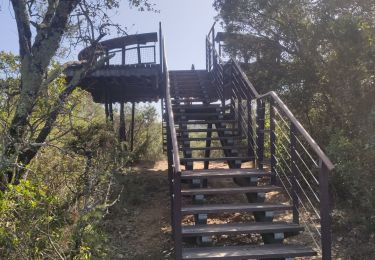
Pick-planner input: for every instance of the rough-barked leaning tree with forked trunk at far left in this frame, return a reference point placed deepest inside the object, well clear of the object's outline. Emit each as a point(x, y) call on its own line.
point(43, 26)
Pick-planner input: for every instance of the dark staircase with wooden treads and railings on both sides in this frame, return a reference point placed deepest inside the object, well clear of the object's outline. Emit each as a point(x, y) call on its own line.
point(216, 115)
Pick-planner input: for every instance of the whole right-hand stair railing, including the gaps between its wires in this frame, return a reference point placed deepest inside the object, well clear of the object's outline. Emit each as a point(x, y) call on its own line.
point(279, 143)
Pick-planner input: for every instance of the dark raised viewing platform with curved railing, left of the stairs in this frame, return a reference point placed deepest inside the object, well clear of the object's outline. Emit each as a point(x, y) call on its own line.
point(131, 74)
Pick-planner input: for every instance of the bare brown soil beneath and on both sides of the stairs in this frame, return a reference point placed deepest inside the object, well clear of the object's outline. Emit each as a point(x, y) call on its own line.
point(138, 225)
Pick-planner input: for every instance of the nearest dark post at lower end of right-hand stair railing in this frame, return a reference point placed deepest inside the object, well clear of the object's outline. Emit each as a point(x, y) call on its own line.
point(325, 212)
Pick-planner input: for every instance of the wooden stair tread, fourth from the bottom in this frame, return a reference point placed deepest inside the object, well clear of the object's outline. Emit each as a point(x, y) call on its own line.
point(233, 190)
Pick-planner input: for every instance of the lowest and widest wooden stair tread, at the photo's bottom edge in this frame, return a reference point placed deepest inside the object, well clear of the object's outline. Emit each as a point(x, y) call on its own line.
point(246, 252)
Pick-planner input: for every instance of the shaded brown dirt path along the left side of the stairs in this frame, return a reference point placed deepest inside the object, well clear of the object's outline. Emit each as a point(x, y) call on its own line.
point(138, 225)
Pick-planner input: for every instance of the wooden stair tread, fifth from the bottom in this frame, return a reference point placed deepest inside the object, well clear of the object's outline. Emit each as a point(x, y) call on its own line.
point(223, 173)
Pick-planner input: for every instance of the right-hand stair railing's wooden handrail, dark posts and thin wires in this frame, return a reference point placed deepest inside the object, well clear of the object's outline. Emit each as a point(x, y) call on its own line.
point(241, 88)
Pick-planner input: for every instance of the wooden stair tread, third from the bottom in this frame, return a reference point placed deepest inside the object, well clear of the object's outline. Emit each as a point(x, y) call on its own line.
point(233, 208)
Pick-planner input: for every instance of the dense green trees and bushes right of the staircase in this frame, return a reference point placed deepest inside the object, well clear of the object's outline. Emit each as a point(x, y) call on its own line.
point(319, 55)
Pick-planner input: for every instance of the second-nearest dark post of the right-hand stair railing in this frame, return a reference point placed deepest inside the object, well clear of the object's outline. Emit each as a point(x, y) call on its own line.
point(293, 161)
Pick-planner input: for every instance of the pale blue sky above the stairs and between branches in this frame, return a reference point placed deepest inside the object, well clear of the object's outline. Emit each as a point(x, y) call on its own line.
point(185, 24)
